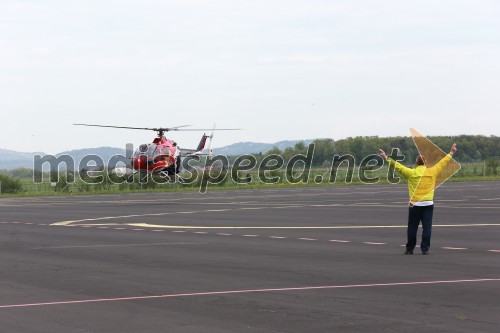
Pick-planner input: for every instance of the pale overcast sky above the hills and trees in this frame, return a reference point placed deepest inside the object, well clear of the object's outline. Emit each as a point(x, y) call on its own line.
point(291, 69)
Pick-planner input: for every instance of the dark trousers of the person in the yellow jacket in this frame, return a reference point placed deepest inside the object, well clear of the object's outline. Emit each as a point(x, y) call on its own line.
point(415, 215)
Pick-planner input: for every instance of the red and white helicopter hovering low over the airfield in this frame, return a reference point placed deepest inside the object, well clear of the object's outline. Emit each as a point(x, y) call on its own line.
point(163, 156)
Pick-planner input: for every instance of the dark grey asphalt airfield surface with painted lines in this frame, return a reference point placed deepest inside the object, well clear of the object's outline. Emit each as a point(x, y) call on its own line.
point(318, 259)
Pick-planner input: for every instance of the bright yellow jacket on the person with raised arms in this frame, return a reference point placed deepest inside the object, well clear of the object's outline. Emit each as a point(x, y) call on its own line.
point(421, 180)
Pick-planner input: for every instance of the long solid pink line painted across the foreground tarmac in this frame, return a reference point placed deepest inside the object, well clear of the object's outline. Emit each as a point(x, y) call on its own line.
point(247, 291)
